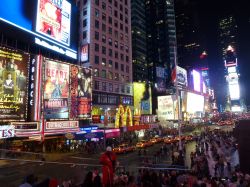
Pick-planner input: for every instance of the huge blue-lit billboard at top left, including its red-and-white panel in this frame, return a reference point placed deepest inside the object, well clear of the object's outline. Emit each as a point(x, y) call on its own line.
point(47, 23)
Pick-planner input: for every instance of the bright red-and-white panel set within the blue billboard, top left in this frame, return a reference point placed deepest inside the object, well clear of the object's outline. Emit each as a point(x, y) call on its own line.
point(53, 20)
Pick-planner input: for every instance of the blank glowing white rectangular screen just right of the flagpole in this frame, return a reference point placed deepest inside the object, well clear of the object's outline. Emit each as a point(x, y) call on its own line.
point(195, 103)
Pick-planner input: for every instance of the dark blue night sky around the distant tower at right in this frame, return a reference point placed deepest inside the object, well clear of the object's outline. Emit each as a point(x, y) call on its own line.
point(209, 12)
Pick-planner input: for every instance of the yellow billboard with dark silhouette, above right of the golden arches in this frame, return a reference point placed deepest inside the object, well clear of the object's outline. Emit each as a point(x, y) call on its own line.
point(142, 98)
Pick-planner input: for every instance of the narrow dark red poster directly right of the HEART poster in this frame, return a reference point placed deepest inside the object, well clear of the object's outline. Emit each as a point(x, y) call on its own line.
point(81, 90)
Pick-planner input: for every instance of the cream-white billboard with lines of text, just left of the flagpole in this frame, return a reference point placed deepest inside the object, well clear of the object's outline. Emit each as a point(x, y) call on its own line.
point(167, 108)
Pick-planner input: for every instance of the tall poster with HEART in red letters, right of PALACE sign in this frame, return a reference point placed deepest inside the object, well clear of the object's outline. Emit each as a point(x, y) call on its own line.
point(56, 90)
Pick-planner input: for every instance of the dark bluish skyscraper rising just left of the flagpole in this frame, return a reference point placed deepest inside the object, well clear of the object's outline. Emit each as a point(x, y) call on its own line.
point(161, 45)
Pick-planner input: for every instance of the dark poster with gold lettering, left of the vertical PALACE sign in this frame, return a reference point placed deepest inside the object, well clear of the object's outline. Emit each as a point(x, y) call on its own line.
point(13, 85)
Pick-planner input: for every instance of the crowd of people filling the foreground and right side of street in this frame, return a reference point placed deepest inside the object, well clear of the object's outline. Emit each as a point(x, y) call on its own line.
point(212, 165)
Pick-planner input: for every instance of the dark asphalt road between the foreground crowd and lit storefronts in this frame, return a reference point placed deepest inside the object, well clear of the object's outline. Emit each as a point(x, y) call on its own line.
point(73, 166)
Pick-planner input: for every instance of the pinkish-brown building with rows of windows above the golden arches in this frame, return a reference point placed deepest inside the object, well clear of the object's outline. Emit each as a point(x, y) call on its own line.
point(105, 46)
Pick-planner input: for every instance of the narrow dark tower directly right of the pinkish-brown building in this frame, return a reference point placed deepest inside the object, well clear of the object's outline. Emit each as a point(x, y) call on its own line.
point(139, 50)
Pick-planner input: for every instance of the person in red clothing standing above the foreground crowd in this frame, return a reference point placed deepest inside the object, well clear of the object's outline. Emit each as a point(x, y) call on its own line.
point(108, 160)
